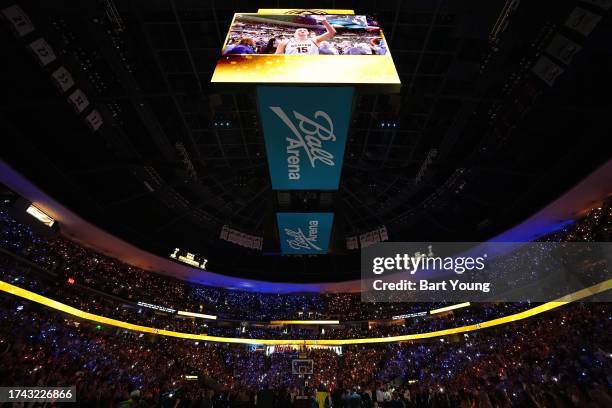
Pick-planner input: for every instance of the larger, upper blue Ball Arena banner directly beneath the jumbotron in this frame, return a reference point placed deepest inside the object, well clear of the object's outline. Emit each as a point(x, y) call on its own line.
point(305, 131)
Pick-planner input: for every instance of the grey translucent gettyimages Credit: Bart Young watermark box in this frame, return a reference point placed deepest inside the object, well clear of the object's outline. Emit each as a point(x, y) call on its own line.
point(483, 271)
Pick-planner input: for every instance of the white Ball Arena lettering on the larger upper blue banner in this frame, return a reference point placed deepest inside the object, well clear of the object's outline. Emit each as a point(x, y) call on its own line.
point(308, 138)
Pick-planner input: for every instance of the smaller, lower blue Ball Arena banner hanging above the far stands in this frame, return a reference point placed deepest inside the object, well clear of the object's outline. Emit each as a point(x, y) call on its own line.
point(304, 233)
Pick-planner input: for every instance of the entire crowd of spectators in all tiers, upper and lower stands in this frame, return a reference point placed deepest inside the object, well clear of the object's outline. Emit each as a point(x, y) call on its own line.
point(560, 358)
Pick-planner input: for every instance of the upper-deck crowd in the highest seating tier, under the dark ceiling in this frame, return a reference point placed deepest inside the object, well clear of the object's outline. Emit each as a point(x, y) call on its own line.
point(69, 260)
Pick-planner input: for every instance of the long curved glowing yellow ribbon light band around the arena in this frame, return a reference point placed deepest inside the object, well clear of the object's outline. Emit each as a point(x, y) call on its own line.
point(26, 294)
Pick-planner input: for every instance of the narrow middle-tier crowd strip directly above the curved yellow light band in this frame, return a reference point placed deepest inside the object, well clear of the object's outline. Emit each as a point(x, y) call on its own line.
point(100, 303)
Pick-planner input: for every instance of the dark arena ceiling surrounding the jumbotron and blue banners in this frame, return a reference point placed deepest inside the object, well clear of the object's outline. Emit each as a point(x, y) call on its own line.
point(480, 141)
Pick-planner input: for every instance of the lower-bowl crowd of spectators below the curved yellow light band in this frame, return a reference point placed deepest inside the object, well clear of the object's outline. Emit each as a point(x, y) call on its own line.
point(562, 358)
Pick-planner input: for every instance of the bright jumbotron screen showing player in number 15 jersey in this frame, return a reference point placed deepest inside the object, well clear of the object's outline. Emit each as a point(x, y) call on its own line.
point(289, 48)
